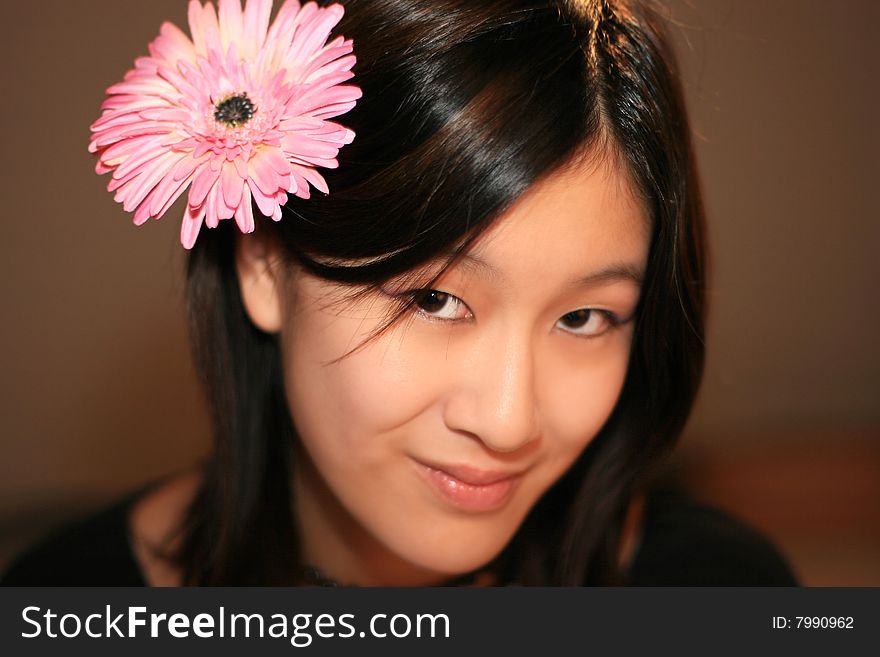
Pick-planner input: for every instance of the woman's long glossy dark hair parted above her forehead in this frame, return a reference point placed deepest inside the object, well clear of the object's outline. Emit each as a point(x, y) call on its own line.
point(465, 105)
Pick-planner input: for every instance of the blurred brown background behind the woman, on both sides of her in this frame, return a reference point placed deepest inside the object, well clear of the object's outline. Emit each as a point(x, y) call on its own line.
point(98, 395)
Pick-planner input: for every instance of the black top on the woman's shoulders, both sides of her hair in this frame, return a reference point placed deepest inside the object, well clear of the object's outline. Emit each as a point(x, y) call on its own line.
point(682, 544)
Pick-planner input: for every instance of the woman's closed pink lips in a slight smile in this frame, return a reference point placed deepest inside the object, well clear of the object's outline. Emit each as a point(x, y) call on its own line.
point(470, 489)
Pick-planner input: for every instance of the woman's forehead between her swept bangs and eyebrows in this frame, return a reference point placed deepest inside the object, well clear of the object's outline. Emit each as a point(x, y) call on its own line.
point(577, 220)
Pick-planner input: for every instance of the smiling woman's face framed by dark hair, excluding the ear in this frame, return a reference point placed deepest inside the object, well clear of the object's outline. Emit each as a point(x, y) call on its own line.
point(423, 451)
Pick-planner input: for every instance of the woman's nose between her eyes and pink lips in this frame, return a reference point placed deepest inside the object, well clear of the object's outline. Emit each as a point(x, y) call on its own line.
point(494, 397)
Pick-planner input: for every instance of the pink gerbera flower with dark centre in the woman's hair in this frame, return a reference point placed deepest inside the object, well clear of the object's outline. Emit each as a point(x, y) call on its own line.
point(238, 113)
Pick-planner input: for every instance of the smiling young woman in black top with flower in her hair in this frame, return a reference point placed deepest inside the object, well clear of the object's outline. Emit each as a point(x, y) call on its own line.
point(462, 363)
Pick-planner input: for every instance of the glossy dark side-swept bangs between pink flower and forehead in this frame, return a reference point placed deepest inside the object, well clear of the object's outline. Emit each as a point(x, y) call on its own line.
point(446, 140)
